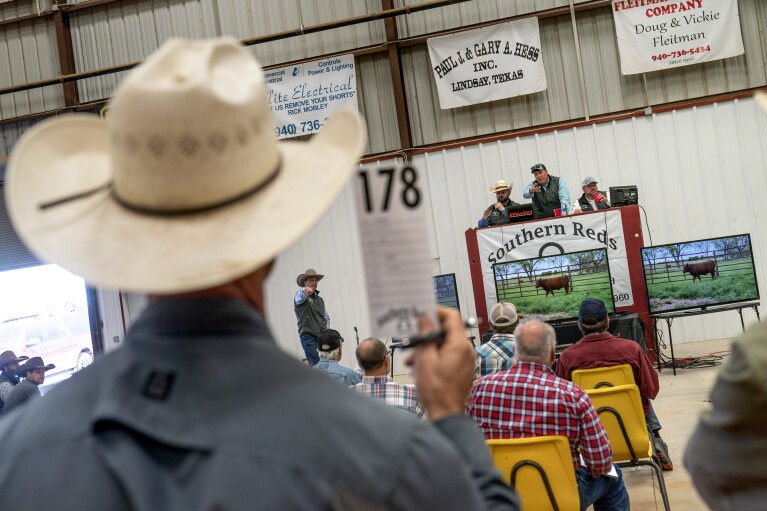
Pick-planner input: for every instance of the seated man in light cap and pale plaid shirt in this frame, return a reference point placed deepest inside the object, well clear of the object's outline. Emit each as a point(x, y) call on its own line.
point(497, 354)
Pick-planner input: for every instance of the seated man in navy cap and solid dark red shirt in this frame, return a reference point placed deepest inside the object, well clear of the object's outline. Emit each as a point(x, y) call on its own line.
point(599, 348)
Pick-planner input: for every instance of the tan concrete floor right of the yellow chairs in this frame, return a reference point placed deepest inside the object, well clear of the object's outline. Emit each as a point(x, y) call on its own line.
point(679, 402)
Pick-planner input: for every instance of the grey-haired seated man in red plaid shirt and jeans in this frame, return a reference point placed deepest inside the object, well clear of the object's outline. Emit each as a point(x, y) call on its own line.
point(529, 400)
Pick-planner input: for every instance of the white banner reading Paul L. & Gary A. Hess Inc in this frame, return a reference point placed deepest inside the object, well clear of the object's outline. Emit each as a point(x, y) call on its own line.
point(486, 64)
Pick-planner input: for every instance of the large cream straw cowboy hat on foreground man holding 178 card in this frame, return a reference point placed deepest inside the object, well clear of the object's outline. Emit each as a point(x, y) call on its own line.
point(184, 186)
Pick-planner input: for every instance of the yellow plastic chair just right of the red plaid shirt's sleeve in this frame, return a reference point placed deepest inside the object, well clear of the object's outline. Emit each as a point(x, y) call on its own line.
point(621, 413)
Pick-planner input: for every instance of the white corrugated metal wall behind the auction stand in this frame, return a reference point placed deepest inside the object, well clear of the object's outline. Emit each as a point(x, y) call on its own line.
point(700, 173)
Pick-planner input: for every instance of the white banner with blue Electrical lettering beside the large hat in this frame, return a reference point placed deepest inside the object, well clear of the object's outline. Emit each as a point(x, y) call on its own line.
point(303, 96)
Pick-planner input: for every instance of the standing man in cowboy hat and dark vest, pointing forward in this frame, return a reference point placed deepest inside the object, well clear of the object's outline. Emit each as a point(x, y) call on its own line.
point(311, 314)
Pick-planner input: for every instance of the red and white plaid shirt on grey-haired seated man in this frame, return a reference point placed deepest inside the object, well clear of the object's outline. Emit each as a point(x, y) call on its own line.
point(529, 400)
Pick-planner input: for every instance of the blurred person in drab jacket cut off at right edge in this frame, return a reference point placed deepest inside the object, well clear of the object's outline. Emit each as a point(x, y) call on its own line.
point(727, 452)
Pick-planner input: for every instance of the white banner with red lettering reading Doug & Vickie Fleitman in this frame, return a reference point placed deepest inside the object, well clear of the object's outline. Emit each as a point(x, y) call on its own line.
point(662, 34)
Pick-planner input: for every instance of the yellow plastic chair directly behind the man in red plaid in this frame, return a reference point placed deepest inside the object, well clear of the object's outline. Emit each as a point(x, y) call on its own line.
point(540, 470)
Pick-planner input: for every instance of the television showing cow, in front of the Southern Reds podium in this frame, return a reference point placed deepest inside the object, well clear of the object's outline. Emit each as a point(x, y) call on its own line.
point(551, 288)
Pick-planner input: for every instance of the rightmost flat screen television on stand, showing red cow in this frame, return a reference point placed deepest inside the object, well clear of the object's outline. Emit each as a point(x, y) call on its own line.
point(700, 274)
